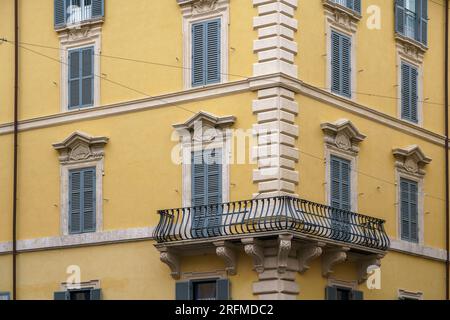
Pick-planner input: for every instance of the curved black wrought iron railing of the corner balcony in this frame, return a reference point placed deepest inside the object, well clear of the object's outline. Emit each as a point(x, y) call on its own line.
point(268, 215)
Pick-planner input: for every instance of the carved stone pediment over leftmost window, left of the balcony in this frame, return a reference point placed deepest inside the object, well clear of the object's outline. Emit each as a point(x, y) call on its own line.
point(80, 147)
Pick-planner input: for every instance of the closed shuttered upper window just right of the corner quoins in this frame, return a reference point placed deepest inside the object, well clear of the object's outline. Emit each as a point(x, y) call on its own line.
point(341, 64)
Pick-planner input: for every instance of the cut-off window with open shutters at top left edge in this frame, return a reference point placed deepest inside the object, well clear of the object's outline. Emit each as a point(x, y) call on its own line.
point(69, 12)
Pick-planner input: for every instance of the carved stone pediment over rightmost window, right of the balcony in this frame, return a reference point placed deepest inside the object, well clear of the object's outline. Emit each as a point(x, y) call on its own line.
point(411, 160)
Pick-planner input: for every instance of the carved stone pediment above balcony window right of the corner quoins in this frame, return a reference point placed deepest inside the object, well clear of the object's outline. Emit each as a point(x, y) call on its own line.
point(343, 135)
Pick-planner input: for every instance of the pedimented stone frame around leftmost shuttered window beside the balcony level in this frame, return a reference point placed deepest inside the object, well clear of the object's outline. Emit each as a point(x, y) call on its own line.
point(79, 151)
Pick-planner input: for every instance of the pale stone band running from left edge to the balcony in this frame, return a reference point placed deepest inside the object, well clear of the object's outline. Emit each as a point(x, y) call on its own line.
point(78, 240)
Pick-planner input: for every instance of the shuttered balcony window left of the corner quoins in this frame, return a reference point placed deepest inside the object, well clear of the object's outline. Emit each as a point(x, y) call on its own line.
point(206, 190)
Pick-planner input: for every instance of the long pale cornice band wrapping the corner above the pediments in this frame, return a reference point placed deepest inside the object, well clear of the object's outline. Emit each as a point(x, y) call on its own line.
point(198, 94)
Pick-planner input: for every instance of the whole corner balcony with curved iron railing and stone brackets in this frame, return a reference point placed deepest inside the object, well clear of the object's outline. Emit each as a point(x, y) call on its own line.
point(287, 223)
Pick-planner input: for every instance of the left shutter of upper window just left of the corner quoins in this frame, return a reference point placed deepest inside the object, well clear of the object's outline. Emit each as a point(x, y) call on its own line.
point(198, 57)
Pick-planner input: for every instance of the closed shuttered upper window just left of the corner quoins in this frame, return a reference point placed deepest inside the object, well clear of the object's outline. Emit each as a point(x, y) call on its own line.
point(206, 52)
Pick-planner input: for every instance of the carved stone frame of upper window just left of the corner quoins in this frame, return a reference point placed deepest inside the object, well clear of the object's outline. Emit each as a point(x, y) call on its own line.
point(194, 11)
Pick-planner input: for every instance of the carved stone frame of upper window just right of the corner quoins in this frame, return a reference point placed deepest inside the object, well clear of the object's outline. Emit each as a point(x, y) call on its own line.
point(344, 21)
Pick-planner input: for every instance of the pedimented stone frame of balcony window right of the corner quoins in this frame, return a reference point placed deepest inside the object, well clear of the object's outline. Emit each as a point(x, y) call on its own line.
point(342, 140)
